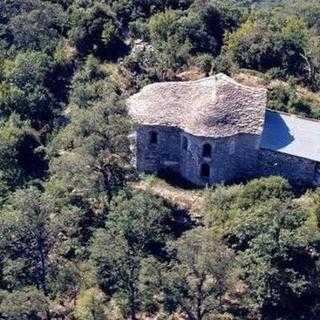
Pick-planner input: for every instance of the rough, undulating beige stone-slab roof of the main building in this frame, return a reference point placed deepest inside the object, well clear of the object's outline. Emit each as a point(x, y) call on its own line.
point(216, 106)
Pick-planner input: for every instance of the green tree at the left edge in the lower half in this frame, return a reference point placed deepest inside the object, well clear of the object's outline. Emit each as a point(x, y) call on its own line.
point(26, 239)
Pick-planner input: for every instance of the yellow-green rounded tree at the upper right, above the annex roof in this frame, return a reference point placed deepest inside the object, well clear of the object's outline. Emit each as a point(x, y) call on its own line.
point(281, 45)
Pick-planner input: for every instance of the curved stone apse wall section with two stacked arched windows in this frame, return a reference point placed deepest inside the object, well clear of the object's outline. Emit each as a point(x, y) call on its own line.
point(231, 158)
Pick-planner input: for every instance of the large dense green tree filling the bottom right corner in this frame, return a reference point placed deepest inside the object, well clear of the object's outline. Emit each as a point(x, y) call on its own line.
point(279, 261)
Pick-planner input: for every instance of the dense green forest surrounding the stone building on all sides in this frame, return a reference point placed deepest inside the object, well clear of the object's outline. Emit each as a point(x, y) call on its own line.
point(77, 240)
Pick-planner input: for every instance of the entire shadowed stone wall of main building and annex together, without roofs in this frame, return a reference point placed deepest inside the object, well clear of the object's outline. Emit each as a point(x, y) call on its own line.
point(232, 158)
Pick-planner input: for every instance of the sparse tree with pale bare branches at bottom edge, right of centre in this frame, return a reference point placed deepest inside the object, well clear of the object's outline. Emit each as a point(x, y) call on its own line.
point(198, 278)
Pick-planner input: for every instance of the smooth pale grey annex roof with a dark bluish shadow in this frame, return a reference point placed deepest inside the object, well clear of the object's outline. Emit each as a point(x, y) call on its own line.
point(292, 135)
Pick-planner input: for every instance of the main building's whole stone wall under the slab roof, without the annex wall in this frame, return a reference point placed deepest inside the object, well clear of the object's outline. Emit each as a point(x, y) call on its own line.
point(231, 158)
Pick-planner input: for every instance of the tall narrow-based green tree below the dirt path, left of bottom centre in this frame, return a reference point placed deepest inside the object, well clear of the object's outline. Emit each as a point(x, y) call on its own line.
point(135, 226)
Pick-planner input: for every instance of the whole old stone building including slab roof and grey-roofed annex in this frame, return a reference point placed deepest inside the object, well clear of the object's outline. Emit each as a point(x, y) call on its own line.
point(216, 130)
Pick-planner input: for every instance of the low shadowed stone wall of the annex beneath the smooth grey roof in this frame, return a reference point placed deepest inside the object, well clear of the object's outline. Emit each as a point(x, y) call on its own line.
point(298, 171)
